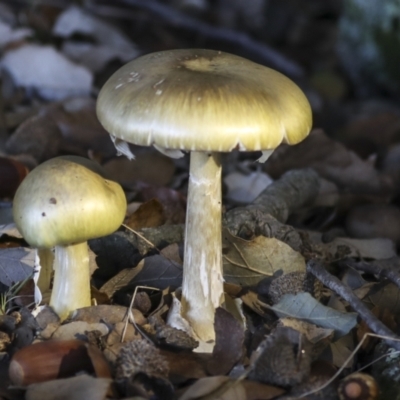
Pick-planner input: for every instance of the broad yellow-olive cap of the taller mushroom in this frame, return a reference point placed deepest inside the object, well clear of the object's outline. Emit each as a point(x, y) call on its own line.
point(203, 100)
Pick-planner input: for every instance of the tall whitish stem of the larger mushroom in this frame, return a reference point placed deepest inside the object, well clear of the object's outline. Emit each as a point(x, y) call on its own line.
point(202, 287)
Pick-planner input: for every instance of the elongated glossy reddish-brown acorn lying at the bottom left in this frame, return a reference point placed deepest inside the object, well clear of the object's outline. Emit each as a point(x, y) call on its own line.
point(44, 361)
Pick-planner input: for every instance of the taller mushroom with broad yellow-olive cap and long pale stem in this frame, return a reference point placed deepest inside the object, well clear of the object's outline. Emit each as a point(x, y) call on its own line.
point(205, 102)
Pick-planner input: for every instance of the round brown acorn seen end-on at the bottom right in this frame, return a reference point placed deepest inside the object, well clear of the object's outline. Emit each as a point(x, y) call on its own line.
point(358, 386)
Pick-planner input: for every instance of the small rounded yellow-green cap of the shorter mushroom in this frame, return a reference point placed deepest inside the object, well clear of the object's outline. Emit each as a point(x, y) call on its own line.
point(63, 202)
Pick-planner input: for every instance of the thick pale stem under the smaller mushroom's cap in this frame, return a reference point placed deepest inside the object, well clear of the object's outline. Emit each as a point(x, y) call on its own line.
point(71, 288)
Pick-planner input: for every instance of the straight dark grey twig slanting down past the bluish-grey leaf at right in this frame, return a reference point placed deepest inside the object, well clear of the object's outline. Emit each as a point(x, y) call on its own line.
point(333, 283)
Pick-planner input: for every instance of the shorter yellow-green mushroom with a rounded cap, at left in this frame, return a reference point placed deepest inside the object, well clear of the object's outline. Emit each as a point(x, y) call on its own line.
point(62, 203)
